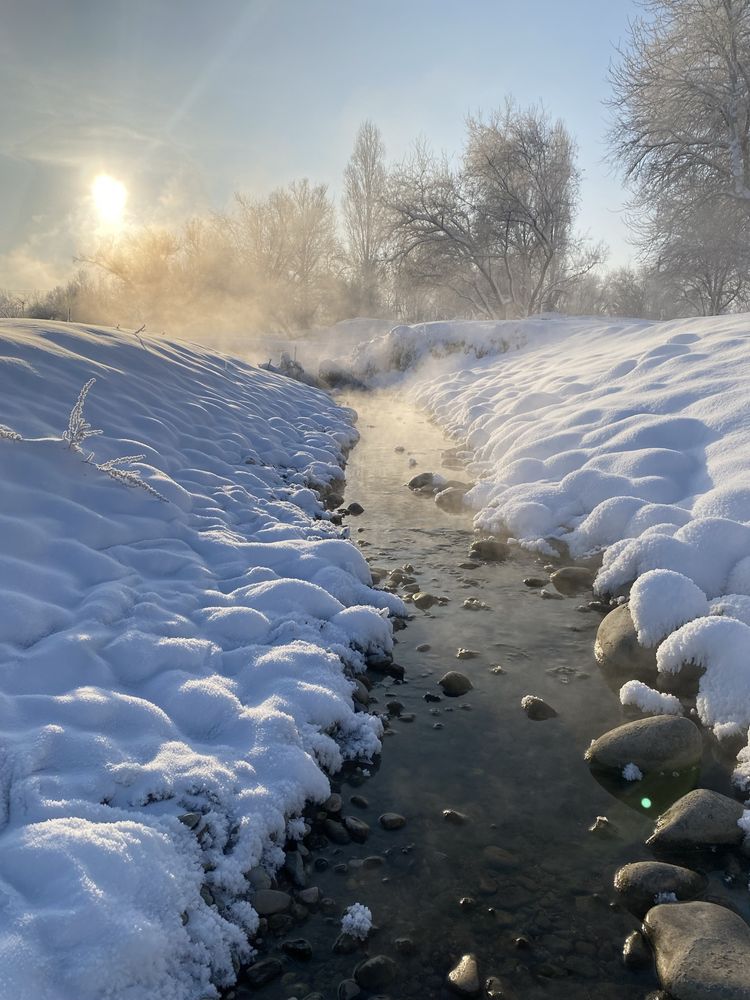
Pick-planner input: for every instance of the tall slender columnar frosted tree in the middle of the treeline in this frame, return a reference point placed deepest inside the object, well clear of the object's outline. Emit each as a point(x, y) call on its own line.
point(365, 217)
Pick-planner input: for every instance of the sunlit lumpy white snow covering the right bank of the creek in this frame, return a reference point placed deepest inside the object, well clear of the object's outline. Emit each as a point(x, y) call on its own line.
point(627, 436)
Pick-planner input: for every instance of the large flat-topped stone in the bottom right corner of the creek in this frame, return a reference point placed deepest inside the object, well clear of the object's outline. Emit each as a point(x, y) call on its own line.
point(702, 951)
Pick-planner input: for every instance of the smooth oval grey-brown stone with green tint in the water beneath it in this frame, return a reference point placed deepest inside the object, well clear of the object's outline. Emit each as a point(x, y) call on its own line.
point(659, 743)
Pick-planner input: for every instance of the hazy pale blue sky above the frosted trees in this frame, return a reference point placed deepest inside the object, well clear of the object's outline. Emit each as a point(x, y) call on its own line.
point(186, 102)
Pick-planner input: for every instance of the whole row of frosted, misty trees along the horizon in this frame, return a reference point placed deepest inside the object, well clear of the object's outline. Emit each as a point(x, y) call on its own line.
point(489, 234)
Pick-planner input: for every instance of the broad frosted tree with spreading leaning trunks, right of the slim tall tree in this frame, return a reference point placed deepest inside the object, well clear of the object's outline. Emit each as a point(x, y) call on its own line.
point(498, 228)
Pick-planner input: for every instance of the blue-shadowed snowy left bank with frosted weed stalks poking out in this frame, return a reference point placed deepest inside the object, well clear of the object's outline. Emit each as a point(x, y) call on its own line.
point(162, 657)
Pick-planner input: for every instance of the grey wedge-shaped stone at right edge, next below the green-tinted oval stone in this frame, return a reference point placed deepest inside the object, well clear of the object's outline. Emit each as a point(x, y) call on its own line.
point(700, 818)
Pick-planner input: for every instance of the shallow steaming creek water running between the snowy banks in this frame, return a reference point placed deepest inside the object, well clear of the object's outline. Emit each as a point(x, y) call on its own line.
point(539, 914)
